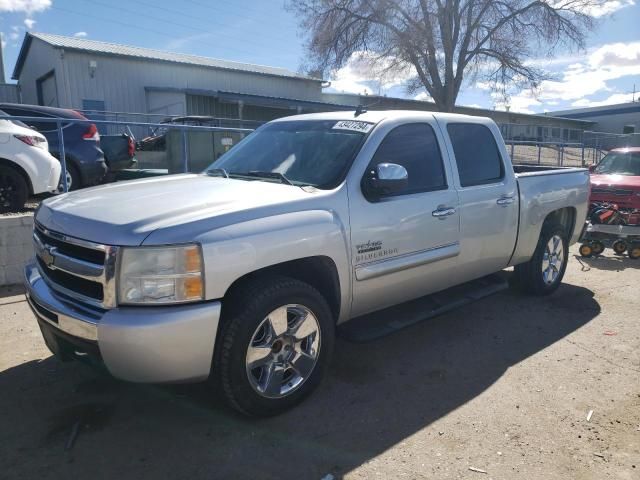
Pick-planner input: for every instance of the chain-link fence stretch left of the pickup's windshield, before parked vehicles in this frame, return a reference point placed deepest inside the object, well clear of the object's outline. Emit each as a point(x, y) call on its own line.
point(88, 157)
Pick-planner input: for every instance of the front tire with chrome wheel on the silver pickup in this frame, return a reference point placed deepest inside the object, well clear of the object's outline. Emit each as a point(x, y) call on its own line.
point(275, 345)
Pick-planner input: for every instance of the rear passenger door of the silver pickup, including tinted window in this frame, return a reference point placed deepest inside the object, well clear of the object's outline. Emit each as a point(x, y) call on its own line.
point(488, 197)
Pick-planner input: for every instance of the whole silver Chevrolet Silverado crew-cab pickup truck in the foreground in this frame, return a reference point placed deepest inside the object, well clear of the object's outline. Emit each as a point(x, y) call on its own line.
point(241, 274)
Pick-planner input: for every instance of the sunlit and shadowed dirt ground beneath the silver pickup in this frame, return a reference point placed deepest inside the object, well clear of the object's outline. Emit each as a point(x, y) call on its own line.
point(503, 386)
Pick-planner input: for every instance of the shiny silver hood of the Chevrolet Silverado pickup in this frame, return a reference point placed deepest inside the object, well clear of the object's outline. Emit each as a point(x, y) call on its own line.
point(125, 213)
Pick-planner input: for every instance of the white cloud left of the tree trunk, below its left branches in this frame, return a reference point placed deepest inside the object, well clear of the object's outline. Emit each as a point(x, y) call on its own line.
point(364, 75)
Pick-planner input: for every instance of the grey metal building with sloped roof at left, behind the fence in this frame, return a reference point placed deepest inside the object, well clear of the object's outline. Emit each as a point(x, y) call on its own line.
point(89, 75)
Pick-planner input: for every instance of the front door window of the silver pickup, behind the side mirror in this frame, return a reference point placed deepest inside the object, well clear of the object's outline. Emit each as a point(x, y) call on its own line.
point(415, 147)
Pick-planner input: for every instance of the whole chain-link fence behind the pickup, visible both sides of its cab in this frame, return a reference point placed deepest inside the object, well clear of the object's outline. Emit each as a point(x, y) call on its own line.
point(135, 145)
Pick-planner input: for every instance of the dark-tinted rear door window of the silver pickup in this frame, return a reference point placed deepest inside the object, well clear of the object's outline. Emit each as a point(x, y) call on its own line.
point(477, 154)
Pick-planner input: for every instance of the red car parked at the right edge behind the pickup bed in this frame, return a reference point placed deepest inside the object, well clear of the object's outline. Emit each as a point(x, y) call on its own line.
point(616, 179)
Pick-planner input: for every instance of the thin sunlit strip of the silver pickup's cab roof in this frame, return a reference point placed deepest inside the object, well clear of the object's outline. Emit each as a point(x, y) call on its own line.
point(376, 116)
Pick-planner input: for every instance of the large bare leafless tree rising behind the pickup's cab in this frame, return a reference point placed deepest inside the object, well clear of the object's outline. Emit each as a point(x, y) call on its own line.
point(445, 41)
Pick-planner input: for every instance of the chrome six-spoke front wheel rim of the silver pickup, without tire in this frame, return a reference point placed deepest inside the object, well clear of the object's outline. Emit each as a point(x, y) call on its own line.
point(283, 351)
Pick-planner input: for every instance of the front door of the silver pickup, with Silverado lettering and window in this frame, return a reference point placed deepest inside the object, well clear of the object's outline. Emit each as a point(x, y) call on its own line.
point(405, 245)
